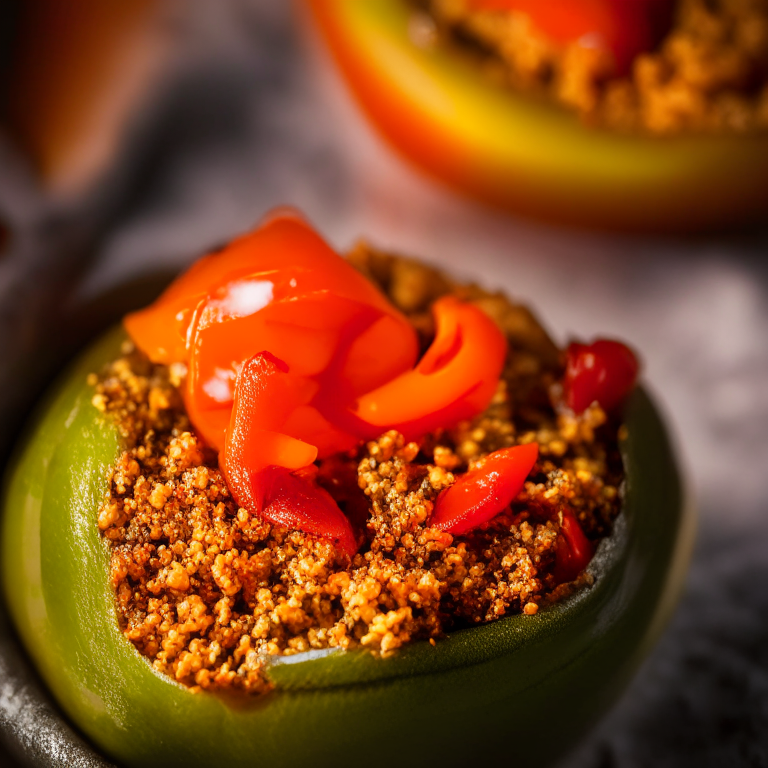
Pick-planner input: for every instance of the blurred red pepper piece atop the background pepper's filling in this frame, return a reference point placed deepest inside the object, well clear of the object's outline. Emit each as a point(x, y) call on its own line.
point(626, 28)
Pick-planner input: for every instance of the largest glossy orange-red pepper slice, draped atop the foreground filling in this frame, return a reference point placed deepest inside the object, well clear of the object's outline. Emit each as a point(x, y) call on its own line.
point(280, 288)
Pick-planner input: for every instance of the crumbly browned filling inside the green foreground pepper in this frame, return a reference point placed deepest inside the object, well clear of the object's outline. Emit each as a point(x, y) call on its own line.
point(208, 592)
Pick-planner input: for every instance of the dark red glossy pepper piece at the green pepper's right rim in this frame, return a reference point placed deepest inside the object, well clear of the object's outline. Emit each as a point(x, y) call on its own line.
point(604, 371)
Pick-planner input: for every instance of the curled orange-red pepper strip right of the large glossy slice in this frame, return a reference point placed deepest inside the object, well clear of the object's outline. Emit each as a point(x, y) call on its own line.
point(455, 379)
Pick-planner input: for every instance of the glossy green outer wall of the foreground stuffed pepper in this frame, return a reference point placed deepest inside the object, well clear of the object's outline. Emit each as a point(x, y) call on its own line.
point(522, 689)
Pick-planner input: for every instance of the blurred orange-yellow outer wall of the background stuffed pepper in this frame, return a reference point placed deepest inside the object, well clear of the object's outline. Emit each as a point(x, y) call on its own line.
point(435, 107)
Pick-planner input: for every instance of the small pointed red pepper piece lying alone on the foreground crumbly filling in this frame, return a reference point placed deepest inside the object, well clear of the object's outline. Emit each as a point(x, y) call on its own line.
point(479, 495)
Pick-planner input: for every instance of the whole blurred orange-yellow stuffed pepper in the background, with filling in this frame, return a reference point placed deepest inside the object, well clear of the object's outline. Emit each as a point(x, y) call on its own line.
point(643, 115)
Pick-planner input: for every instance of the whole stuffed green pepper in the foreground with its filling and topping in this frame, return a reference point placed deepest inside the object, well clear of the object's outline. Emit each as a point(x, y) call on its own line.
point(193, 597)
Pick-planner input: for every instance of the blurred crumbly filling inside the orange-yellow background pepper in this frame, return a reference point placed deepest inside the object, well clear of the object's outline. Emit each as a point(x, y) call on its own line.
point(709, 74)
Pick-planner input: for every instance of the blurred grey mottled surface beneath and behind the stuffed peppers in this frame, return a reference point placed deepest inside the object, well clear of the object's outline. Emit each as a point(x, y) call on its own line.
point(257, 119)
